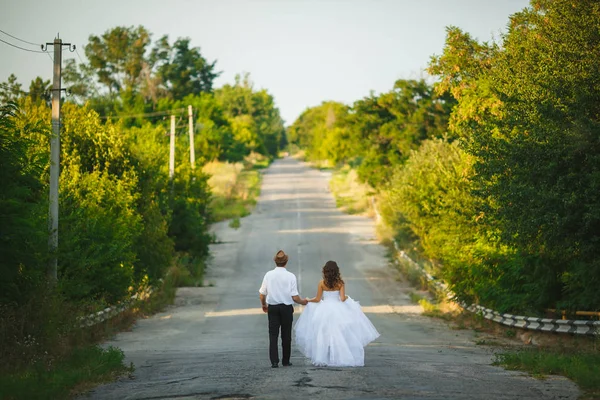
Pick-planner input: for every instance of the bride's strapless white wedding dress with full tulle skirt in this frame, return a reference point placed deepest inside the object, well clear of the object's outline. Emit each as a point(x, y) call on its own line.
point(334, 332)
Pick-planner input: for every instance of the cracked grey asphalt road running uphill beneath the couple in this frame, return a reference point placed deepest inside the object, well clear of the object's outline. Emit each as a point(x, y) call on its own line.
point(213, 343)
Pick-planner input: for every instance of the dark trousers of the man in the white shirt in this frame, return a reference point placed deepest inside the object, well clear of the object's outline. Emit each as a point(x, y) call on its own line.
point(280, 315)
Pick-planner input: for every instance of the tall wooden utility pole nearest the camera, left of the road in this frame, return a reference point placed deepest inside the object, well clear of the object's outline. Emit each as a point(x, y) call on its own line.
point(54, 163)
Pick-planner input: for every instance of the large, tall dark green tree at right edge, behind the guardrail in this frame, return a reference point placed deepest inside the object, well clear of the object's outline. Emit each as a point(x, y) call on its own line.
point(530, 117)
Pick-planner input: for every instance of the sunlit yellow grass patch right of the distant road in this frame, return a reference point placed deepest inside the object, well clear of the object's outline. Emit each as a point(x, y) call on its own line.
point(351, 196)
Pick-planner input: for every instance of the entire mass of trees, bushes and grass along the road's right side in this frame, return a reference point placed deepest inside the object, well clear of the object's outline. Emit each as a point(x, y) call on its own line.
point(488, 177)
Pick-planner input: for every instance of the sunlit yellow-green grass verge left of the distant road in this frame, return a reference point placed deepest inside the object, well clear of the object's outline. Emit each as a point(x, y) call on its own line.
point(235, 187)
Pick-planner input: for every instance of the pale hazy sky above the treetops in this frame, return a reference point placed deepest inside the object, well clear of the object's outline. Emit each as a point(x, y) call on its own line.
point(303, 52)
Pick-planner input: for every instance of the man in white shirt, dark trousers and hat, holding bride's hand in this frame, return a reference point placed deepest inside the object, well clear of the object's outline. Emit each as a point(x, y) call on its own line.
point(278, 290)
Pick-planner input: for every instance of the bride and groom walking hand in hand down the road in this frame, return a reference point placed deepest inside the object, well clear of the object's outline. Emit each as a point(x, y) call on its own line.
point(332, 330)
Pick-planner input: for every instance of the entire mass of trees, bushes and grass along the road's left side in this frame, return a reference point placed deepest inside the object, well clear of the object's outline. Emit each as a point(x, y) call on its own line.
point(125, 222)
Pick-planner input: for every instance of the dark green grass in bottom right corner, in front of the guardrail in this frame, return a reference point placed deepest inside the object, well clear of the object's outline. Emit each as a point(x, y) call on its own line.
point(581, 367)
